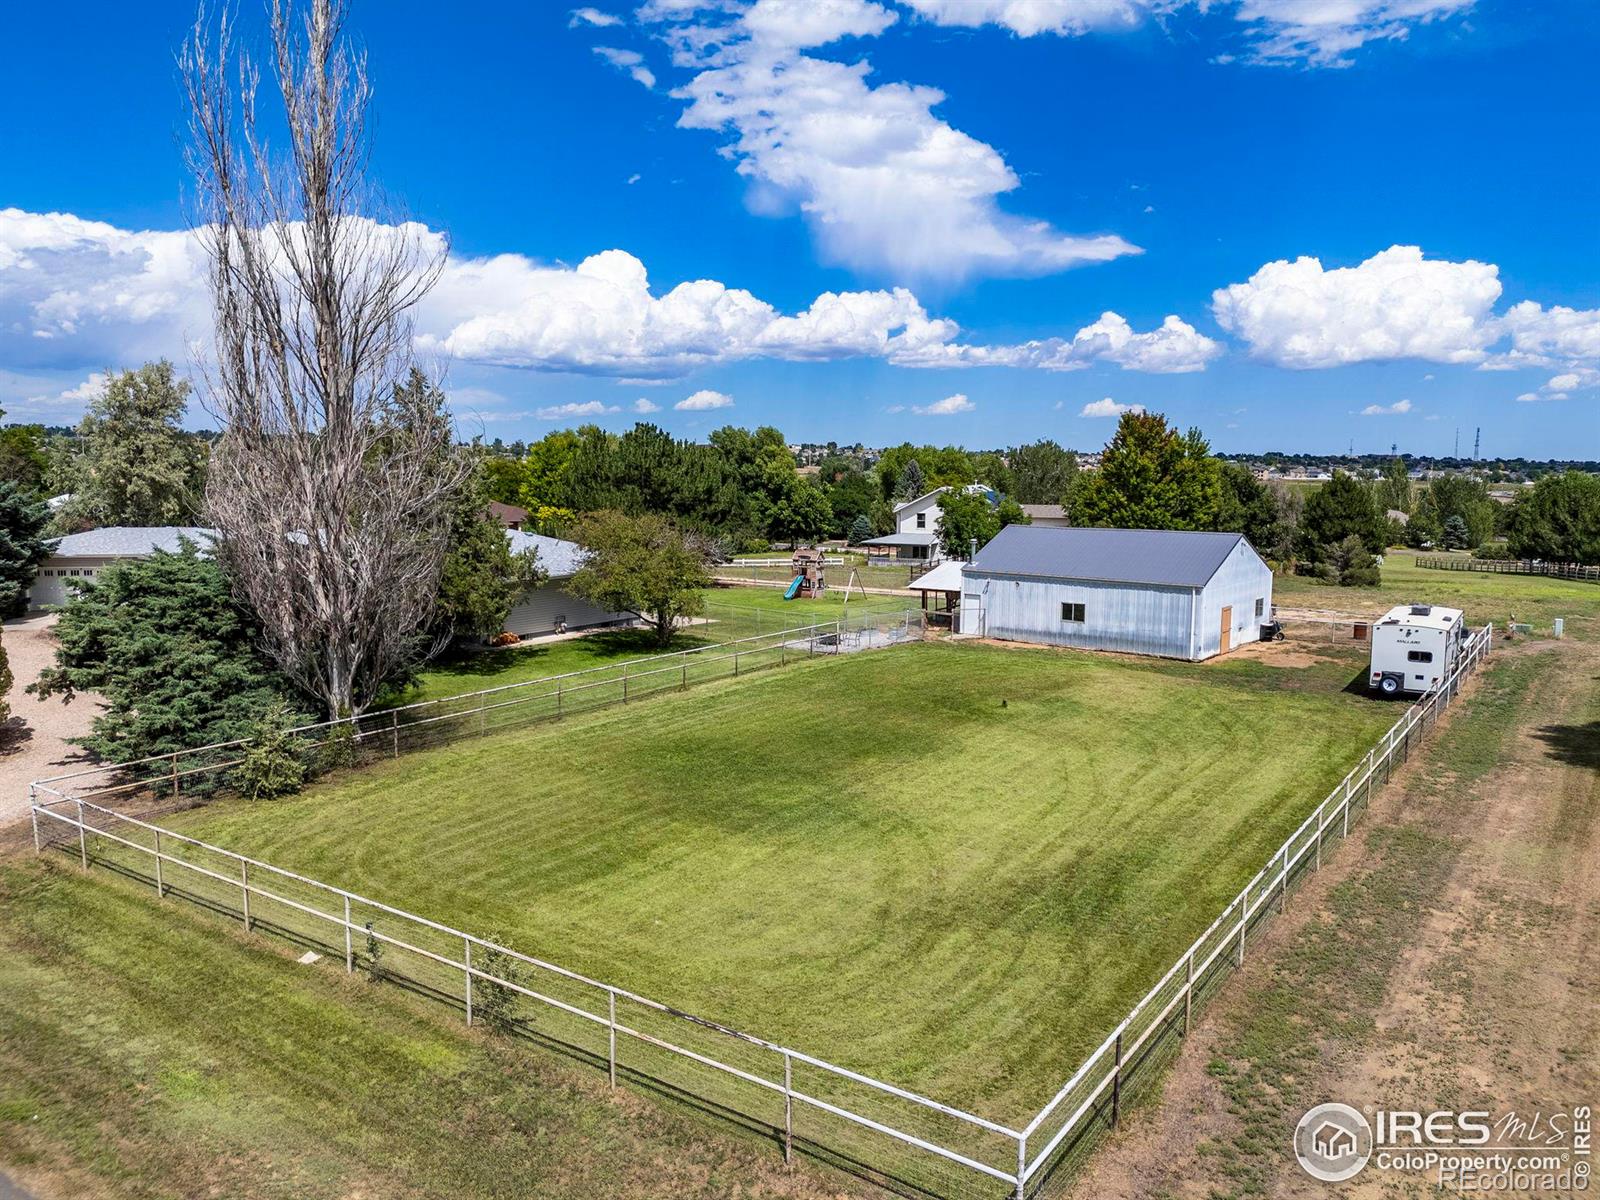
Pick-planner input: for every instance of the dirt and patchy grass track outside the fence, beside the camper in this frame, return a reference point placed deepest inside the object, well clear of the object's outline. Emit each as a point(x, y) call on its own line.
point(1449, 958)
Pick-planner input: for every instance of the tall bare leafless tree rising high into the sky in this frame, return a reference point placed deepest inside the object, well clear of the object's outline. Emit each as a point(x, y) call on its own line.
point(334, 497)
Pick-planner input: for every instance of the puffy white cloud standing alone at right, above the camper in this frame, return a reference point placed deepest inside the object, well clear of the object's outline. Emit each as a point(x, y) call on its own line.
point(1396, 305)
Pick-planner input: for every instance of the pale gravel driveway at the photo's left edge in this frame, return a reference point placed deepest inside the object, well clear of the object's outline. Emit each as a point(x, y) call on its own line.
point(34, 743)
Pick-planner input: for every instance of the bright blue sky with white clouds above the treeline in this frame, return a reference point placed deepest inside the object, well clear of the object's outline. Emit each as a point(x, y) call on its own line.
point(1294, 223)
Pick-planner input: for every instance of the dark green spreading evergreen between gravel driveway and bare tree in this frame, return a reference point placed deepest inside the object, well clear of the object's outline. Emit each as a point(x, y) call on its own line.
point(170, 654)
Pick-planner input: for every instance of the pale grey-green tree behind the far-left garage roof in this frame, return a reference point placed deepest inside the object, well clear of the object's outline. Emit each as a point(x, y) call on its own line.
point(132, 463)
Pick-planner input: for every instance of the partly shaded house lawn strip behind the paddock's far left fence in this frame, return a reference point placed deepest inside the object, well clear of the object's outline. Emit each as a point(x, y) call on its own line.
point(730, 614)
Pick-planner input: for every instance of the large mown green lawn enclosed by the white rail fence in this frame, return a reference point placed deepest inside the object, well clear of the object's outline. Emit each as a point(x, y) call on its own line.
point(950, 866)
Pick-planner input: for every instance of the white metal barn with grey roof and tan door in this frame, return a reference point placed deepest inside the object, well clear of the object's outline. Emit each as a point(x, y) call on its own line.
point(1186, 596)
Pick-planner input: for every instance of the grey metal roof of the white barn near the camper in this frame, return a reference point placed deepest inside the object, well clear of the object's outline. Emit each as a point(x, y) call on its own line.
point(1164, 558)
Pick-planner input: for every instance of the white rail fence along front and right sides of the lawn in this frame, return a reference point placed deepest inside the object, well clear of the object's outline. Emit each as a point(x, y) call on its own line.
point(838, 1114)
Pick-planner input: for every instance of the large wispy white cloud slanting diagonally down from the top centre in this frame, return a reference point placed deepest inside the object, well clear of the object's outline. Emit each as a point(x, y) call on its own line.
point(884, 185)
